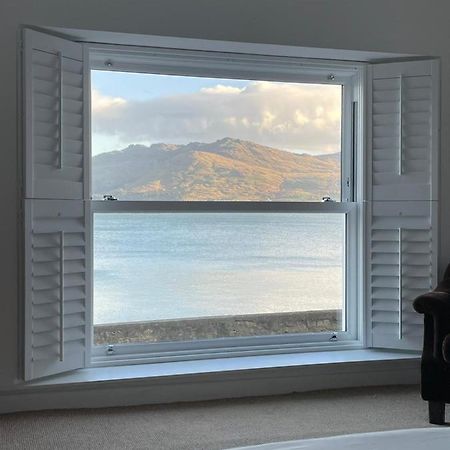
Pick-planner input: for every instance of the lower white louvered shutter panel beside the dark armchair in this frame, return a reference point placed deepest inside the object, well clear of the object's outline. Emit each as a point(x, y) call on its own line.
point(402, 265)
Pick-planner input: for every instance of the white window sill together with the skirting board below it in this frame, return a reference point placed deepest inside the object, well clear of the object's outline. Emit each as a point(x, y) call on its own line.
point(213, 379)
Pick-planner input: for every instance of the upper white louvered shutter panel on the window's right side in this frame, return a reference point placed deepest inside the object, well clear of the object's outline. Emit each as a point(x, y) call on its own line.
point(404, 116)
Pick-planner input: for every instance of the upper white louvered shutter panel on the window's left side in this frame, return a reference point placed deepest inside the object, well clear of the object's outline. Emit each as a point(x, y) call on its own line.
point(54, 111)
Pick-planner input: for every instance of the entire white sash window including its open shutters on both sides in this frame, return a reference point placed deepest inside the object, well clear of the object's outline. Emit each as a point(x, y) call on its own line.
point(228, 204)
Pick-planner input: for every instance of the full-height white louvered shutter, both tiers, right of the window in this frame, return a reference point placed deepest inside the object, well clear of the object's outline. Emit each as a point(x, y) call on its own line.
point(402, 199)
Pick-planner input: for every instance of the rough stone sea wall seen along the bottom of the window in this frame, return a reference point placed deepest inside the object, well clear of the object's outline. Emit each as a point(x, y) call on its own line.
point(218, 327)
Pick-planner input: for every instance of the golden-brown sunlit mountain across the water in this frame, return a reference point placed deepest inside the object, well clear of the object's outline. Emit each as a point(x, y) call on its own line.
point(228, 169)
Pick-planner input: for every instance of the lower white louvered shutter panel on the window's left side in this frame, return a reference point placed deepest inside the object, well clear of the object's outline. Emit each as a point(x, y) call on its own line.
point(56, 287)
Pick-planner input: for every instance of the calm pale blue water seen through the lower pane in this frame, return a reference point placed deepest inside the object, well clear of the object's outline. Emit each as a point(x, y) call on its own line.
point(165, 266)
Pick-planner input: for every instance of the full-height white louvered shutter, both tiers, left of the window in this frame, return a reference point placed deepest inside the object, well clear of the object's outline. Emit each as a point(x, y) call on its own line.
point(56, 243)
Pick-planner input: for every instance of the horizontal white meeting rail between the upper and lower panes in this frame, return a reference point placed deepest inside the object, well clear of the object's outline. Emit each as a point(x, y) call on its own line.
point(105, 206)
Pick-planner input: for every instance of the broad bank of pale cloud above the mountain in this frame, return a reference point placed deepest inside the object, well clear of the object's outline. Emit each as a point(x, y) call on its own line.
point(284, 115)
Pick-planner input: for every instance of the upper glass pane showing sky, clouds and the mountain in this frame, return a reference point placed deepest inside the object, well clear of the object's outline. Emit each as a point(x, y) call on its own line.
point(166, 137)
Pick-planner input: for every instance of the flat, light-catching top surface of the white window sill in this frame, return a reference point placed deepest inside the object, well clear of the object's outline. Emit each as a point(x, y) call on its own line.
point(224, 366)
